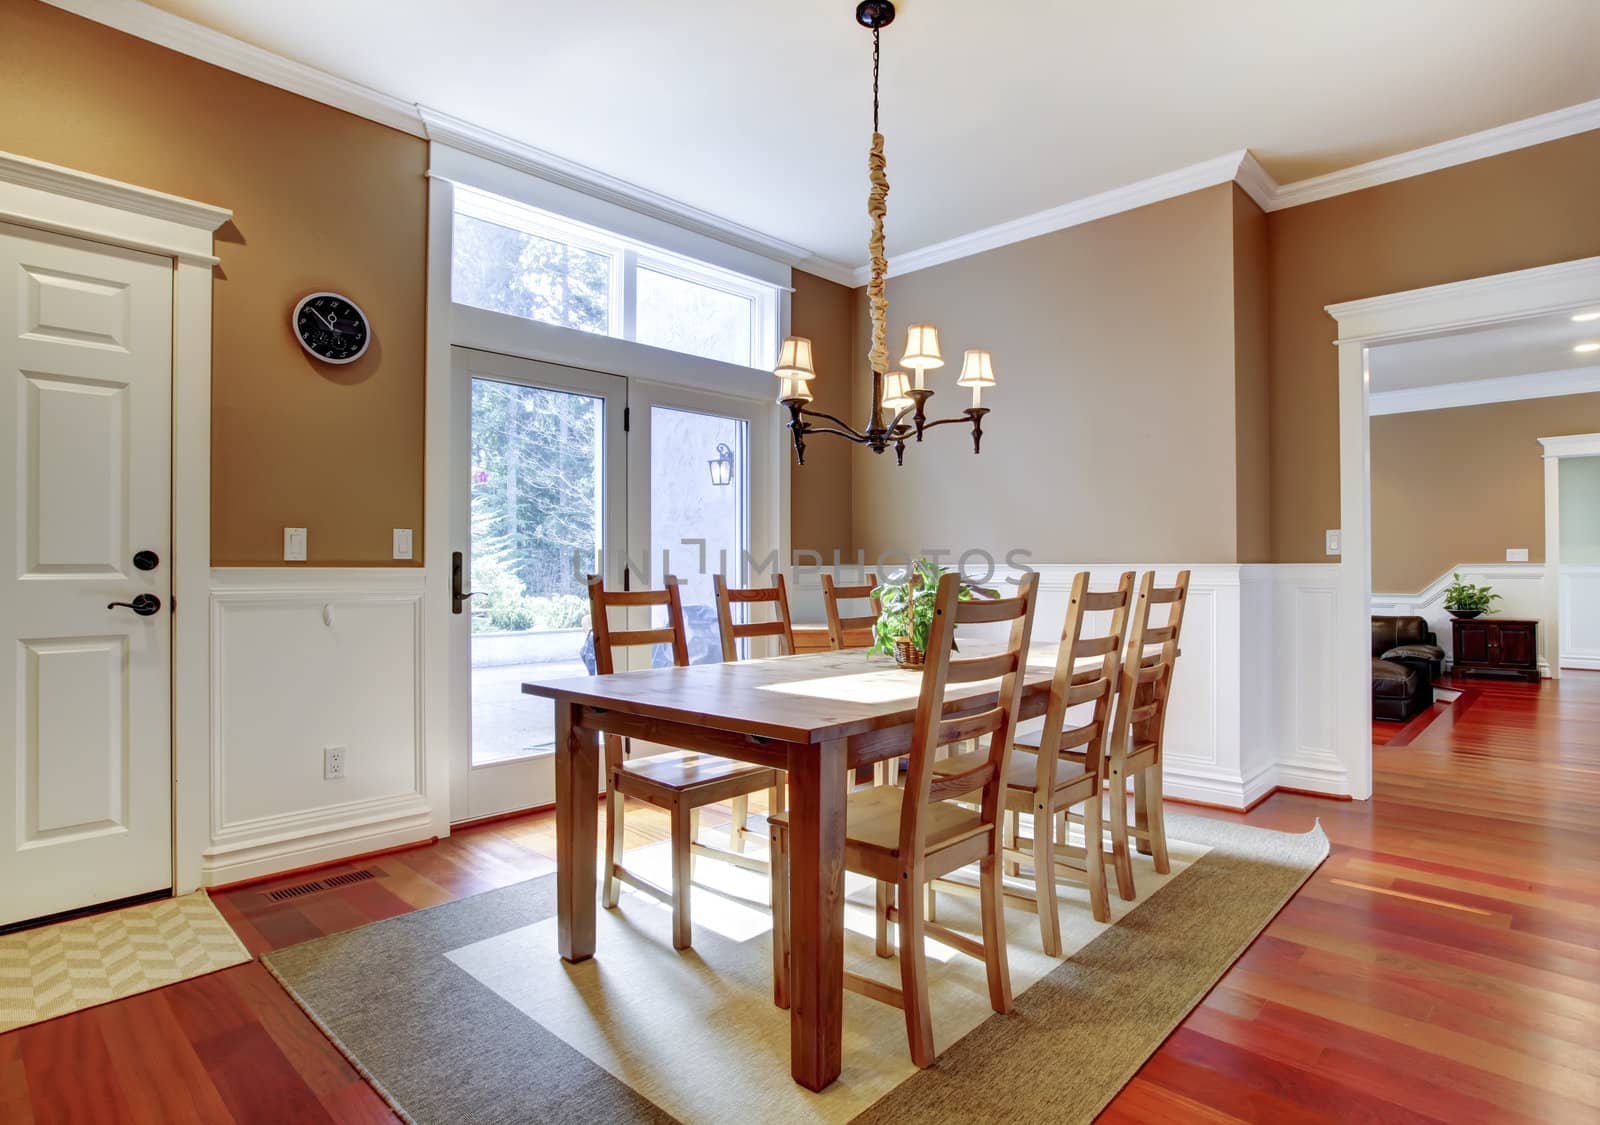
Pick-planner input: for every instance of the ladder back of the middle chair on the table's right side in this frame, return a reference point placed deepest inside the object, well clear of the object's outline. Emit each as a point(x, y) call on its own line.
point(1076, 686)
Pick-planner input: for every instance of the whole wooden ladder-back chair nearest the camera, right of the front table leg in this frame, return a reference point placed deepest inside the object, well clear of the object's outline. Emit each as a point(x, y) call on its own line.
point(908, 836)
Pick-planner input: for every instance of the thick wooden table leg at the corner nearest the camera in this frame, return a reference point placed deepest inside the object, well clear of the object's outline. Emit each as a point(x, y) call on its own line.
point(817, 911)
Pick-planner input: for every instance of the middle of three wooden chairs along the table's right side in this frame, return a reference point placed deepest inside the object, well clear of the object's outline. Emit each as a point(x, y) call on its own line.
point(1063, 767)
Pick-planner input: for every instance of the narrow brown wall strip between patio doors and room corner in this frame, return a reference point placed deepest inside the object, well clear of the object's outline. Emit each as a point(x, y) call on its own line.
point(820, 492)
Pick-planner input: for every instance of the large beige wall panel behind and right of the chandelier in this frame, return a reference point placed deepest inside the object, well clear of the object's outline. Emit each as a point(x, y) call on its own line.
point(1113, 433)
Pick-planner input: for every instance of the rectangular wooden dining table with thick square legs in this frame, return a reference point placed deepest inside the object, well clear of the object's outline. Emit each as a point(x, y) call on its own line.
point(818, 718)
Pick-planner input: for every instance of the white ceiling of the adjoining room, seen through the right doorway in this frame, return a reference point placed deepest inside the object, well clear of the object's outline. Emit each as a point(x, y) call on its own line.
point(1519, 348)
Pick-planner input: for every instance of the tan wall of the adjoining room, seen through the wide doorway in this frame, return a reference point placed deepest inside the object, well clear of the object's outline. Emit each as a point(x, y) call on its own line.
point(1462, 486)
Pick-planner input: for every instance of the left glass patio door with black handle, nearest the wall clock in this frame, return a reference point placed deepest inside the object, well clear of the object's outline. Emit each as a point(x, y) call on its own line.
point(540, 460)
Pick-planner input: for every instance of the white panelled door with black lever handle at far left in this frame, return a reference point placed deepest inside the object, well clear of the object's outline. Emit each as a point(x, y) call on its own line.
point(86, 463)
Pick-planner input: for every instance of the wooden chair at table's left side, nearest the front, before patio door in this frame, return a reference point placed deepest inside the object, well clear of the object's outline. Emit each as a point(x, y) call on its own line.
point(681, 782)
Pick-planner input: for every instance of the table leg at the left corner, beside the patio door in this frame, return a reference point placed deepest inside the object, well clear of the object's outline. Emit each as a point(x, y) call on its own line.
point(577, 822)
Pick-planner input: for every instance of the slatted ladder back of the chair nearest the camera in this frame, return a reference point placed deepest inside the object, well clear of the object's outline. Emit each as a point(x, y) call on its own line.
point(930, 731)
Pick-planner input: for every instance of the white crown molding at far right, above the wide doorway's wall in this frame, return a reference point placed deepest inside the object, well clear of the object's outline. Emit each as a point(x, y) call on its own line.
point(1434, 158)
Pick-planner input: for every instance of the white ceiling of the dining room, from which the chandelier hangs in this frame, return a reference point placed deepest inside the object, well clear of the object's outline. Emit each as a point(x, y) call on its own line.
point(759, 111)
